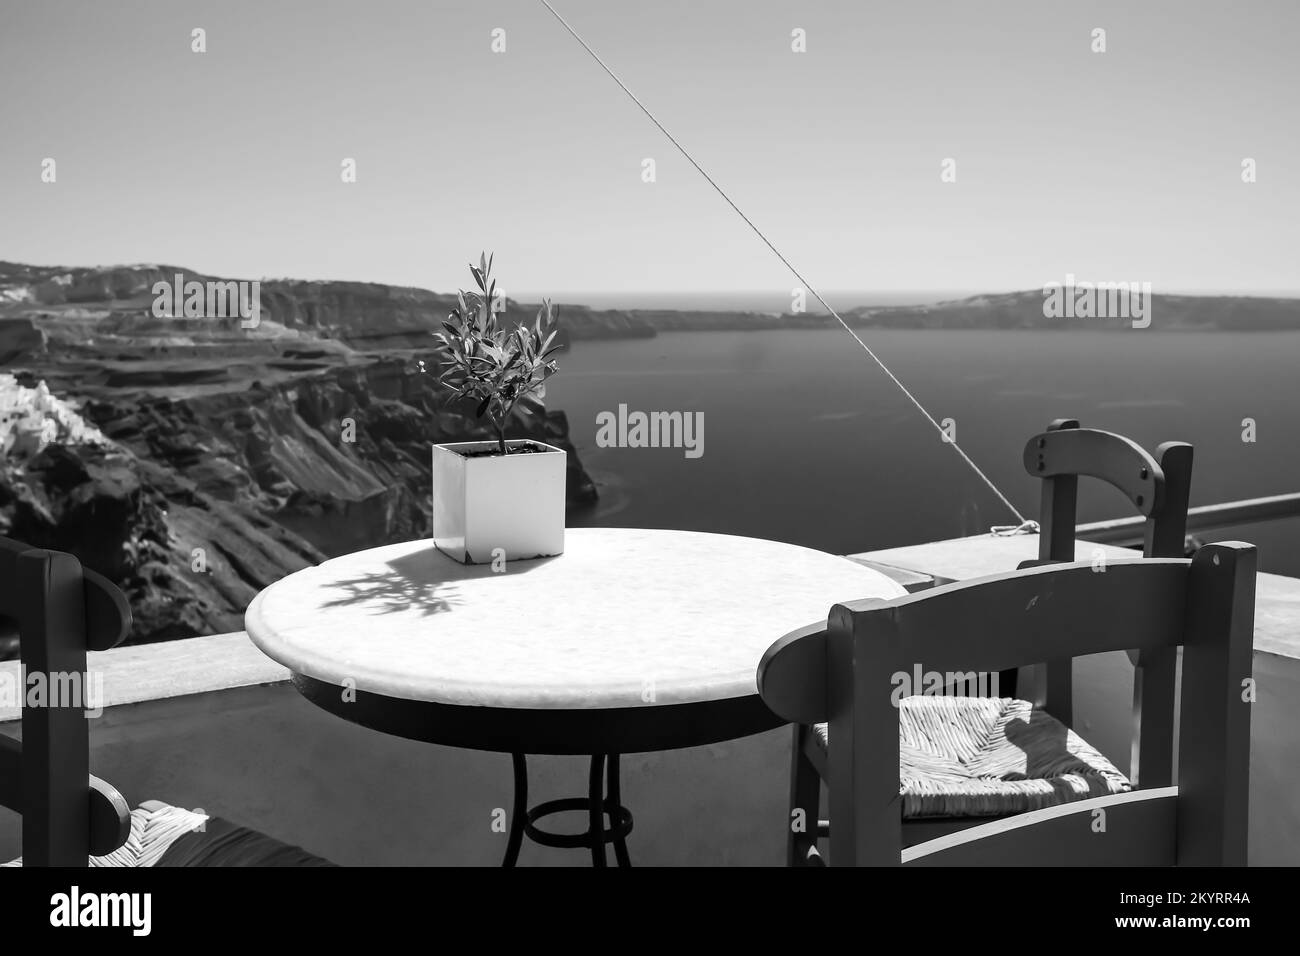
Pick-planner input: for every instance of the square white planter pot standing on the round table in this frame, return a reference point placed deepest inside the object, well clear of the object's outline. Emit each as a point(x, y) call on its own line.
point(488, 503)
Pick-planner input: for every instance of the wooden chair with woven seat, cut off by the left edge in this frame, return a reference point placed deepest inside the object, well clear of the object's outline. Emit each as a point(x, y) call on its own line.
point(70, 819)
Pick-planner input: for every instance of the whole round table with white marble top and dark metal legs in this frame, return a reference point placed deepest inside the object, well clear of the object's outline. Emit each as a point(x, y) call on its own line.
point(632, 641)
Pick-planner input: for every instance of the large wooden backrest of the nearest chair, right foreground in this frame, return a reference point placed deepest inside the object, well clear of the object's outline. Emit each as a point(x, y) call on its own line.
point(846, 676)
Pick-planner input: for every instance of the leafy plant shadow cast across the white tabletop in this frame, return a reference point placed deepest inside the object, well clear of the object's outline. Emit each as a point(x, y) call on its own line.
point(426, 581)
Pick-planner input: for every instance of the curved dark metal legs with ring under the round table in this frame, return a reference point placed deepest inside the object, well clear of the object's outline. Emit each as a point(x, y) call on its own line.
point(603, 801)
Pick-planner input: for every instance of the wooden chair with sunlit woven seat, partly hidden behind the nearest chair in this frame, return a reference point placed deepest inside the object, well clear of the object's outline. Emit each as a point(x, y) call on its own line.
point(950, 729)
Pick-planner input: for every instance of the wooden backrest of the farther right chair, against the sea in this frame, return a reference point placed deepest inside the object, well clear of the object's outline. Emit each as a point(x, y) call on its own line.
point(1158, 488)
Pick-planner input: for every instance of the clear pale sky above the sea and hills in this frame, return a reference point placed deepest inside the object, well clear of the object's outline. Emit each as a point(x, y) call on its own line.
point(1124, 166)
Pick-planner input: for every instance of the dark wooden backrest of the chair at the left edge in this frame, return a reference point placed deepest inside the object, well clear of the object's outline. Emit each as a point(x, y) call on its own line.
point(59, 611)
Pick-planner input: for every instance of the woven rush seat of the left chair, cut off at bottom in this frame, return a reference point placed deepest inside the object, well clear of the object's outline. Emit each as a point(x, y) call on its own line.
point(164, 836)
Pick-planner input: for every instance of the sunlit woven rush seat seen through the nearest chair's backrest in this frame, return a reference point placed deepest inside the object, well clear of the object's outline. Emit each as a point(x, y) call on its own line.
point(990, 758)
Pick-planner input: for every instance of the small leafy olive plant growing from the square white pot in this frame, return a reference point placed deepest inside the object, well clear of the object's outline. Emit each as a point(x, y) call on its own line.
point(492, 364)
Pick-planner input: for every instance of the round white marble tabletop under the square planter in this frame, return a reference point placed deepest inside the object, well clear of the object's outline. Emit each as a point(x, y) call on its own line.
point(623, 618)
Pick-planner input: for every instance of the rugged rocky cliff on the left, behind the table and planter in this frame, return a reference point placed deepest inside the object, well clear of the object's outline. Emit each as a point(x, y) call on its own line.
point(196, 462)
